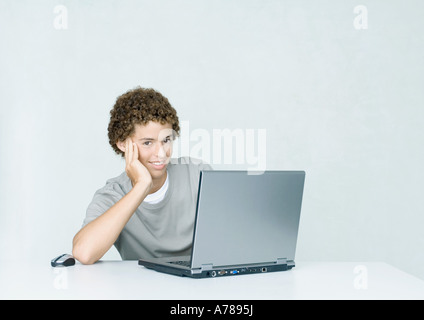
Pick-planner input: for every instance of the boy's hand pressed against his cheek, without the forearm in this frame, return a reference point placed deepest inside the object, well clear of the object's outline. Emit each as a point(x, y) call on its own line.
point(134, 168)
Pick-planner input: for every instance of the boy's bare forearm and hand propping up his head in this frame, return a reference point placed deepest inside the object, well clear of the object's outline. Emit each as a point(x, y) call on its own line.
point(96, 238)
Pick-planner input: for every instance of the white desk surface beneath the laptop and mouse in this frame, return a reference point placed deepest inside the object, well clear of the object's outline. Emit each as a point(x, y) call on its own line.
point(127, 280)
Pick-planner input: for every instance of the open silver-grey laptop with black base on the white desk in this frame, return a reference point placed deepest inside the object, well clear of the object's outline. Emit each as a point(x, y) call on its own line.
point(245, 223)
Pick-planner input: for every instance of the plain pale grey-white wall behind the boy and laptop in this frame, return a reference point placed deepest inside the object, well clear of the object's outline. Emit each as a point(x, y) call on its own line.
point(344, 104)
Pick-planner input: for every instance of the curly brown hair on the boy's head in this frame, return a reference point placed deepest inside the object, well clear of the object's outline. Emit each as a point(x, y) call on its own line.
point(139, 106)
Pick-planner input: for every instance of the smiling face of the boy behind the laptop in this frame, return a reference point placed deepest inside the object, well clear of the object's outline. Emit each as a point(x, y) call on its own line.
point(154, 142)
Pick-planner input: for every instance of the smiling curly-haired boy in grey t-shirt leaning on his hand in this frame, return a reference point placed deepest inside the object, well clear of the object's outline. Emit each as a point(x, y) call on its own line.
point(148, 210)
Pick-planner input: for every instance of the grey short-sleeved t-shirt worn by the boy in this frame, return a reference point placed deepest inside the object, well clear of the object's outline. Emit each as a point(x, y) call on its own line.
point(155, 230)
